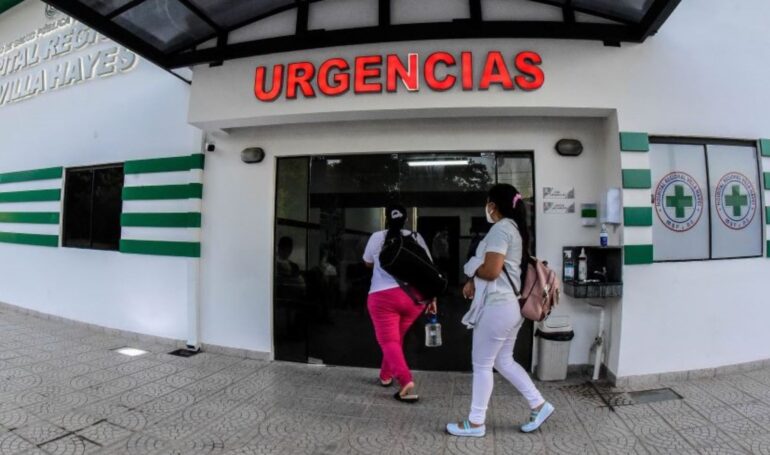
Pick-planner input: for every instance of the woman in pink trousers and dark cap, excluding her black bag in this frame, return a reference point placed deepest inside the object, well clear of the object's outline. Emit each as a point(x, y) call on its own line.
point(392, 310)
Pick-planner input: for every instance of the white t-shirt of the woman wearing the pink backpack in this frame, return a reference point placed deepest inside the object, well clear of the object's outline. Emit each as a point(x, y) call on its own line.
point(504, 238)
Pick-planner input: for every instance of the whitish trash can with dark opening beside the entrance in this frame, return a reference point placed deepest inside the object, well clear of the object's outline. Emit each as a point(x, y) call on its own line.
point(554, 338)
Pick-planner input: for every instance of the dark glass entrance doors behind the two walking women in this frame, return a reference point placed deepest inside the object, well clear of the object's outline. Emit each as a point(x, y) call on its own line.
point(327, 207)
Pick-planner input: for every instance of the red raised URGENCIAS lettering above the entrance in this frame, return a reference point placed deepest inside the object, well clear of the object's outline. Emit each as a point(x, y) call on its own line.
point(439, 71)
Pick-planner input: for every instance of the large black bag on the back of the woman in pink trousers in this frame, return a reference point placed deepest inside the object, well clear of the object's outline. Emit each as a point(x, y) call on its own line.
point(409, 263)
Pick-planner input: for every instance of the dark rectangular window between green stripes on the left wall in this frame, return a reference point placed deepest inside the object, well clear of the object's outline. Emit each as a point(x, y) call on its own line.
point(92, 207)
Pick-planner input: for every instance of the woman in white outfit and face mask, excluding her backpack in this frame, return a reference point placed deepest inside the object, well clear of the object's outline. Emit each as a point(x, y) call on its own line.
point(496, 315)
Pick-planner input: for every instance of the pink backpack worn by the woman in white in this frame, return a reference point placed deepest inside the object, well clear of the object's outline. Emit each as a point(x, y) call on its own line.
point(540, 292)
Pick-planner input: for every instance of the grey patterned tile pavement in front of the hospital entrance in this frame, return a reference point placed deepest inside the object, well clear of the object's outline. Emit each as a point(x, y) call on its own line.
point(63, 391)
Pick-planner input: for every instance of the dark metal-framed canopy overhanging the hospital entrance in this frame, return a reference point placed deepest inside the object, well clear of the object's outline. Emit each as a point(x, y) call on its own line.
point(181, 33)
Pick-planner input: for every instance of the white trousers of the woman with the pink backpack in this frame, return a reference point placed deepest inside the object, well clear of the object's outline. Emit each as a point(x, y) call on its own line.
point(493, 340)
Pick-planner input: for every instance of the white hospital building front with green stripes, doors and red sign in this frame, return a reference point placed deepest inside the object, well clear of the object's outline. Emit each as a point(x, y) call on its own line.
point(264, 257)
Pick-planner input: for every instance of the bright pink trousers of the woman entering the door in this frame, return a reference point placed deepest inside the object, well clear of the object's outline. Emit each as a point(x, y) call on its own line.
point(393, 312)
